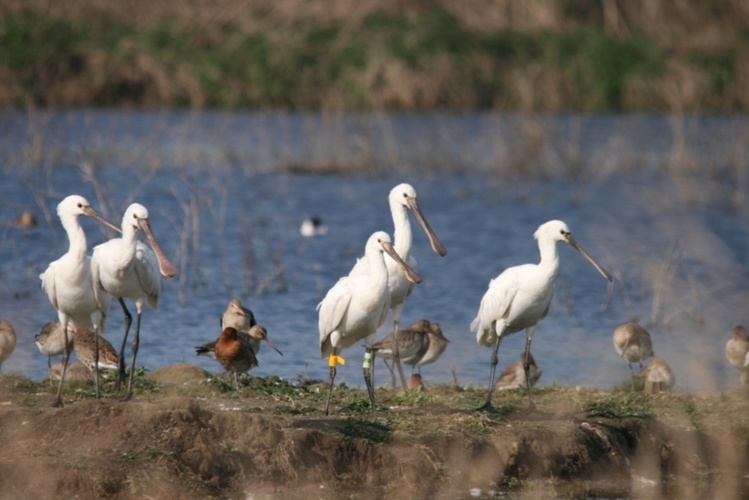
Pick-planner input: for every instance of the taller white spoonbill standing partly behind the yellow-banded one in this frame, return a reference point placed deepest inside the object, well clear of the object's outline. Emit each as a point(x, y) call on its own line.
point(402, 198)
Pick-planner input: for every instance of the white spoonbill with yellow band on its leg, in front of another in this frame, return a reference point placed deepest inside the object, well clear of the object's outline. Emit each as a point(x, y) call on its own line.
point(356, 306)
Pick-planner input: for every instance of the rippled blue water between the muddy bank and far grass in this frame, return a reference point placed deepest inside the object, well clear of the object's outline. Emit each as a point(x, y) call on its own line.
point(658, 203)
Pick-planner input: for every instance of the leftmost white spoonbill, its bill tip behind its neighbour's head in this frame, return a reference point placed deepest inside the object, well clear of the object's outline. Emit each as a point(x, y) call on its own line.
point(67, 281)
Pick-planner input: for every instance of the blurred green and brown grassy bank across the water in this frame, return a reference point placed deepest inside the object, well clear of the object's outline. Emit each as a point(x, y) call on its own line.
point(422, 60)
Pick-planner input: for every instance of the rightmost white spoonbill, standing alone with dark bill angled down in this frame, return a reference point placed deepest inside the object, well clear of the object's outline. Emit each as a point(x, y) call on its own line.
point(520, 296)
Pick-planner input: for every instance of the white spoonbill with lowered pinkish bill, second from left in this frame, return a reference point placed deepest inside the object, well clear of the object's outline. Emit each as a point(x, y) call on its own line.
point(127, 268)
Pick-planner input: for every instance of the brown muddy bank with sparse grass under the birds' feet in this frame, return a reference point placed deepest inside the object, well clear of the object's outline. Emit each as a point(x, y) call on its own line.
point(189, 437)
